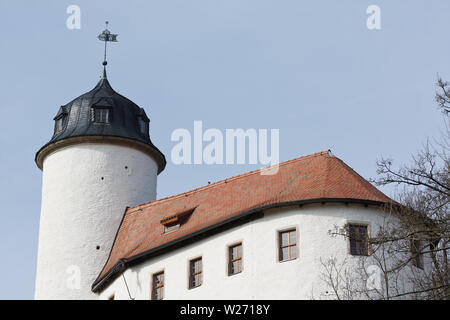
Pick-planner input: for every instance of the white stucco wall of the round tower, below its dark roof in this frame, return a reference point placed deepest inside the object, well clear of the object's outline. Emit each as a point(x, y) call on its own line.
point(85, 190)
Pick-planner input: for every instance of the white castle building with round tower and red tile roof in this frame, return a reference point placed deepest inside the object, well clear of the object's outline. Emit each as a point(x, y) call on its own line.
point(103, 234)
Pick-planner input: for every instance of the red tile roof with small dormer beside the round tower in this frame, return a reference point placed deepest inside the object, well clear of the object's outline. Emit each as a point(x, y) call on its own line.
point(314, 178)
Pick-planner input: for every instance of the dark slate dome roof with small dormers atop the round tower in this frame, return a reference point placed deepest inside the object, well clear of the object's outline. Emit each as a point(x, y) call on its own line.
point(123, 122)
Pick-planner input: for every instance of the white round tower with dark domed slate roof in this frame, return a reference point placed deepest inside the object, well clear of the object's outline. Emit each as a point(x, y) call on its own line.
point(99, 161)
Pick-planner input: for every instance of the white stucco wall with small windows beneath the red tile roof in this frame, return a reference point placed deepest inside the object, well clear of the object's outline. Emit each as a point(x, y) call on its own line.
point(263, 277)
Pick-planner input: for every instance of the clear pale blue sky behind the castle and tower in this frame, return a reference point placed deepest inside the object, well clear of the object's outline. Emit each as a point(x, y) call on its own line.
point(311, 69)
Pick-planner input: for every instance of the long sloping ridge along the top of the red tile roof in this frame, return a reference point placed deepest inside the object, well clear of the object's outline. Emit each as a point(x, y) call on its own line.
point(226, 180)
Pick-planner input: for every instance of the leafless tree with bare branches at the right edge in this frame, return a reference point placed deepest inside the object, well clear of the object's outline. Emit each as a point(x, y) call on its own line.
point(410, 249)
